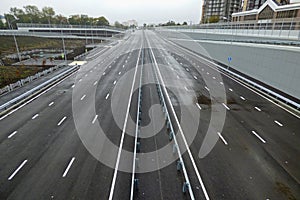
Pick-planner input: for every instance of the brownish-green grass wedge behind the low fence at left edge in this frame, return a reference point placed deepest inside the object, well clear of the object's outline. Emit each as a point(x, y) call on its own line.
point(10, 74)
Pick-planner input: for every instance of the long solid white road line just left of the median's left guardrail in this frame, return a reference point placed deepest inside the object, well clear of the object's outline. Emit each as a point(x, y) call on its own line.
point(123, 131)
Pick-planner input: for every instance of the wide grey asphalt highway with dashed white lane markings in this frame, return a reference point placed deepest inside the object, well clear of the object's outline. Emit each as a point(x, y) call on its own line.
point(229, 142)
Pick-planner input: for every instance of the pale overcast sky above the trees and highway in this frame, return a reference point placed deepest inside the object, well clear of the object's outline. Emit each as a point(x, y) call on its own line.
point(143, 11)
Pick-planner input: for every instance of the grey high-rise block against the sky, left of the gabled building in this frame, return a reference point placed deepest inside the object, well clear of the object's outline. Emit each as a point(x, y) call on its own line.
point(219, 10)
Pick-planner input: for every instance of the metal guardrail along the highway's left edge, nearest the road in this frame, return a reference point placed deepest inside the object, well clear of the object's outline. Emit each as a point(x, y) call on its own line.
point(35, 89)
